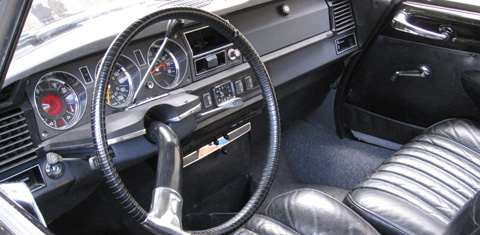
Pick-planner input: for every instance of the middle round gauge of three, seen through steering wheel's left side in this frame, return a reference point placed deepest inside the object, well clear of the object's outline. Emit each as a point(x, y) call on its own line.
point(120, 88)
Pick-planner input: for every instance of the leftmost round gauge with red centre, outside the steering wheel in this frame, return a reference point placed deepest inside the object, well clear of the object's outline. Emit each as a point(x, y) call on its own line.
point(60, 100)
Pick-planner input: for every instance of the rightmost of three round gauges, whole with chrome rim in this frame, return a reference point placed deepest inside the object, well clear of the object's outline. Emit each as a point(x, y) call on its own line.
point(169, 68)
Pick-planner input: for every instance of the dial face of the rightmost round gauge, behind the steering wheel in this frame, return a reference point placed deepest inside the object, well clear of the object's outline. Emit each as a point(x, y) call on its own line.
point(165, 71)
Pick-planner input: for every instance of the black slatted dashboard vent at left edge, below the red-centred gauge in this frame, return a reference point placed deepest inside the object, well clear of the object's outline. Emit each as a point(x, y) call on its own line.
point(16, 145)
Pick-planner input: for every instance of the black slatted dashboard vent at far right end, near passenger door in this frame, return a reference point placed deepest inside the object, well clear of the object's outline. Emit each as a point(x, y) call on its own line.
point(342, 15)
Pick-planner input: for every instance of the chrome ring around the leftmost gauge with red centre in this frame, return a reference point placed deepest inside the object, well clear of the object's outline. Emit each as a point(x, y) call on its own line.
point(77, 90)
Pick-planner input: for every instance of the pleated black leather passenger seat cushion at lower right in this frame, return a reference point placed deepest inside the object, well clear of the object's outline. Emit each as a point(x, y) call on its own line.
point(424, 185)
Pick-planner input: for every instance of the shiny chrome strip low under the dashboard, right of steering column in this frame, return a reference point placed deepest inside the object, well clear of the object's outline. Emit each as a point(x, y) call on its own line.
point(211, 148)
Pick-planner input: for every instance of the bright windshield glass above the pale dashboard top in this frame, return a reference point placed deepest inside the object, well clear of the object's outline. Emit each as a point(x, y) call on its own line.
point(50, 18)
